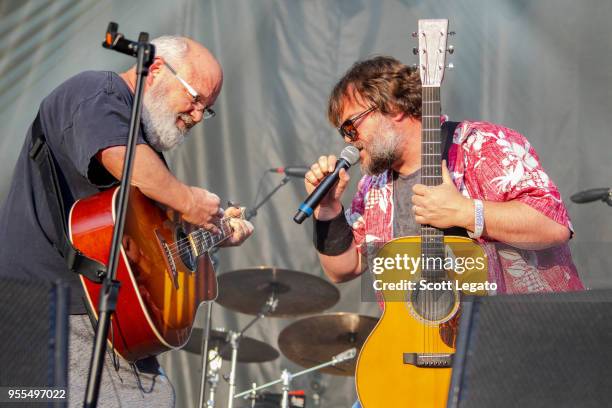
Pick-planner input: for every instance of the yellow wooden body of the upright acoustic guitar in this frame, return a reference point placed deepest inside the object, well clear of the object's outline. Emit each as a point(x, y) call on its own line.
point(385, 376)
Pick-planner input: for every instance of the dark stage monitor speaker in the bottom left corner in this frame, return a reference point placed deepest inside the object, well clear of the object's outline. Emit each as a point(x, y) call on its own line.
point(33, 333)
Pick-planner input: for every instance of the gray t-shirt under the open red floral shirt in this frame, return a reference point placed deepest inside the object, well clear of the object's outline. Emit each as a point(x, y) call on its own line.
point(403, 217)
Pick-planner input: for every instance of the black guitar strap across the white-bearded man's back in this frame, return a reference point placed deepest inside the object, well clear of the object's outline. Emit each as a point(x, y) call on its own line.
point(77, 262)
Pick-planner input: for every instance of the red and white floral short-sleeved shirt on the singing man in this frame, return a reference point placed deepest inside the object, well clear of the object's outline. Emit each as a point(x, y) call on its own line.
point(492, 163)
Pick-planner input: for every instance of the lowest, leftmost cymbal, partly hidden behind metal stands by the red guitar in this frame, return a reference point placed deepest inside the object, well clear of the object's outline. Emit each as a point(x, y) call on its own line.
point(249, 350)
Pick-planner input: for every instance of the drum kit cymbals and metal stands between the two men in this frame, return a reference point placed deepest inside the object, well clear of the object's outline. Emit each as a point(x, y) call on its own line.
point(324, 342)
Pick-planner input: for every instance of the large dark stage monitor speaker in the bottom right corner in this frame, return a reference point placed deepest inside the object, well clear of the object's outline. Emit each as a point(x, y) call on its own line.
point(537, 350)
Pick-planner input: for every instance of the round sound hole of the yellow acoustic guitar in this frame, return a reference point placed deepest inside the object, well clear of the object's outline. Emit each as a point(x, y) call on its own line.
point(433, 305)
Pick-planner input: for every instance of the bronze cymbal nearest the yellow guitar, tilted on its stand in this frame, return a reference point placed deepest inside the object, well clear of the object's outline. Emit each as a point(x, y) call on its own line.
point(316, 339)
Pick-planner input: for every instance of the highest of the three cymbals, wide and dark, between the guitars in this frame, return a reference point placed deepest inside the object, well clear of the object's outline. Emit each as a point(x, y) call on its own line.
point(298, 293)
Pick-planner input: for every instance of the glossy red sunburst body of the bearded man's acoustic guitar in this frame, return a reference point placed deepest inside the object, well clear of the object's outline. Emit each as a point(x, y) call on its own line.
point(160, 289)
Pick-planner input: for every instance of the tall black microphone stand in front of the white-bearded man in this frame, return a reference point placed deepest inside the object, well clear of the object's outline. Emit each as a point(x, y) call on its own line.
point(145, 53)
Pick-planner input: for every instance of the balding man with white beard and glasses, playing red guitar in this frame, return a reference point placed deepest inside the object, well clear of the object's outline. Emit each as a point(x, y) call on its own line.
point(85, 122)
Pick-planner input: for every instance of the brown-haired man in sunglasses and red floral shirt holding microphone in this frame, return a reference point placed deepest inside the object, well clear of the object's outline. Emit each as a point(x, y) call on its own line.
point(495, 172)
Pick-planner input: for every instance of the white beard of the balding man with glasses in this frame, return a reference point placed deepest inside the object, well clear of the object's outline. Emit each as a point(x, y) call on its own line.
point(160, 121)
